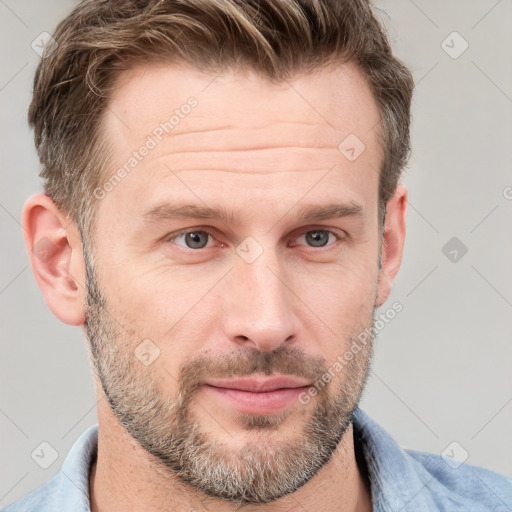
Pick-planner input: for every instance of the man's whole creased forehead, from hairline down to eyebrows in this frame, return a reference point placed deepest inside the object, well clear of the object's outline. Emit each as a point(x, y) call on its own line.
point(173, 128)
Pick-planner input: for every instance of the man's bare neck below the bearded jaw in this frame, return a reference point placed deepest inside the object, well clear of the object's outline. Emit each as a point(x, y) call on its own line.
point(125, 478)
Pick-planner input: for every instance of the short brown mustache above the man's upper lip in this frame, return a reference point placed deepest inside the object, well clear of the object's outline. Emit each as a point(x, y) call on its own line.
point(285, 360)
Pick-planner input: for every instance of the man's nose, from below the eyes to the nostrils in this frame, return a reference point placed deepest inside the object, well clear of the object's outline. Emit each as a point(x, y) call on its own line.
point(259, 311)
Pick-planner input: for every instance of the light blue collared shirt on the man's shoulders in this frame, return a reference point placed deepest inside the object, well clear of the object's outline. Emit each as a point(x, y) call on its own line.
point(401, 480)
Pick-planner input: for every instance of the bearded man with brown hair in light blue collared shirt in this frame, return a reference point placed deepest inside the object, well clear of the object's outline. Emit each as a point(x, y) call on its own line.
point(223, 215)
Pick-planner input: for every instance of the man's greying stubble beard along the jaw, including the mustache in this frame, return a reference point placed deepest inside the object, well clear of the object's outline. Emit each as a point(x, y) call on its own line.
point(166, 428)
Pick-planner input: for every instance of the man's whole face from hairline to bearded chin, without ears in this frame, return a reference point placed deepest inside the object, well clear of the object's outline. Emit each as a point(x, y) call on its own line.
point(206, 331)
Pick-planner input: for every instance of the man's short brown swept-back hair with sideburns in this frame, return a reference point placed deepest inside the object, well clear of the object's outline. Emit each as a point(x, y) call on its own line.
point(277, 38)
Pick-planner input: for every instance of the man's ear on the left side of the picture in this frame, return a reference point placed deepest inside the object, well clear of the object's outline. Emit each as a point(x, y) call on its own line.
point(56, 256)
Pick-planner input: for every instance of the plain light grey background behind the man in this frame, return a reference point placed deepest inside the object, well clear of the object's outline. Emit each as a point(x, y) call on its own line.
point(442, 367)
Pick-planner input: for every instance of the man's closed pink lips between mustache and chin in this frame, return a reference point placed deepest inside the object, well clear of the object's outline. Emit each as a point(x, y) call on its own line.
point(258, 395)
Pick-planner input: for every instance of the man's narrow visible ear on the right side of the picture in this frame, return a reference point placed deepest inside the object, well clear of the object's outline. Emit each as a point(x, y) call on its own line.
point(393, 243)
